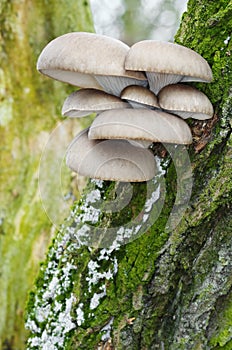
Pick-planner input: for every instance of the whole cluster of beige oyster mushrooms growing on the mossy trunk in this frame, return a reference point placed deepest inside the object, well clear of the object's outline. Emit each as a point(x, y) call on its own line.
point(138, 95)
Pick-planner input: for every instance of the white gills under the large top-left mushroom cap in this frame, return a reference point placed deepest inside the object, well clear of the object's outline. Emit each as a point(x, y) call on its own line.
point(114, 84)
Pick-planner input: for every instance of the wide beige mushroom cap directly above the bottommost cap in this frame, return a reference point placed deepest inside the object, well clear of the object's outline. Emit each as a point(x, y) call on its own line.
point(140, 124)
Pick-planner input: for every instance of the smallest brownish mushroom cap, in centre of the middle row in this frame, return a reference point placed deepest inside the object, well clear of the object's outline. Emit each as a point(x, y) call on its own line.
point(141, 95)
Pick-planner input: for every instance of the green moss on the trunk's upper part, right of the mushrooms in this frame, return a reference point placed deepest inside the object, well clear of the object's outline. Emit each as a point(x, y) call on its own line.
point(209, 25)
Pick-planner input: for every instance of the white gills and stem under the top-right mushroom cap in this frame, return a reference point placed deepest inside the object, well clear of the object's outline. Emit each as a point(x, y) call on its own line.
point(158, 80)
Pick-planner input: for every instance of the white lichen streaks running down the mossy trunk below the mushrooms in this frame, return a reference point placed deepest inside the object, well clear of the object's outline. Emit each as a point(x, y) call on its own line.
point(58, 274)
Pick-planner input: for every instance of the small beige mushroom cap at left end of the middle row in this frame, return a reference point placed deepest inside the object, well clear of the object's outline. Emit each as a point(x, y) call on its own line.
point(86, 101)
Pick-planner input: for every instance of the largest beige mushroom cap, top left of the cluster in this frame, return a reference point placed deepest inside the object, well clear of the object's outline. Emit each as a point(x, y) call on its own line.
point(85, 54)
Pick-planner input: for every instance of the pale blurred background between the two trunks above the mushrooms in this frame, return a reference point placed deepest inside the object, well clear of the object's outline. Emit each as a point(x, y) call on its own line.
point(135, 20)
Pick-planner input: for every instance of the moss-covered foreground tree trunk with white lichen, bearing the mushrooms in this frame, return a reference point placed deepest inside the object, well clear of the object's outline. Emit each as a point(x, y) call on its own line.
point(147, 266)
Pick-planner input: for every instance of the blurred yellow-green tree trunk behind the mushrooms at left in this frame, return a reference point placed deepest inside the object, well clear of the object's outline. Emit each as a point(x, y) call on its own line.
point(28, 114)
